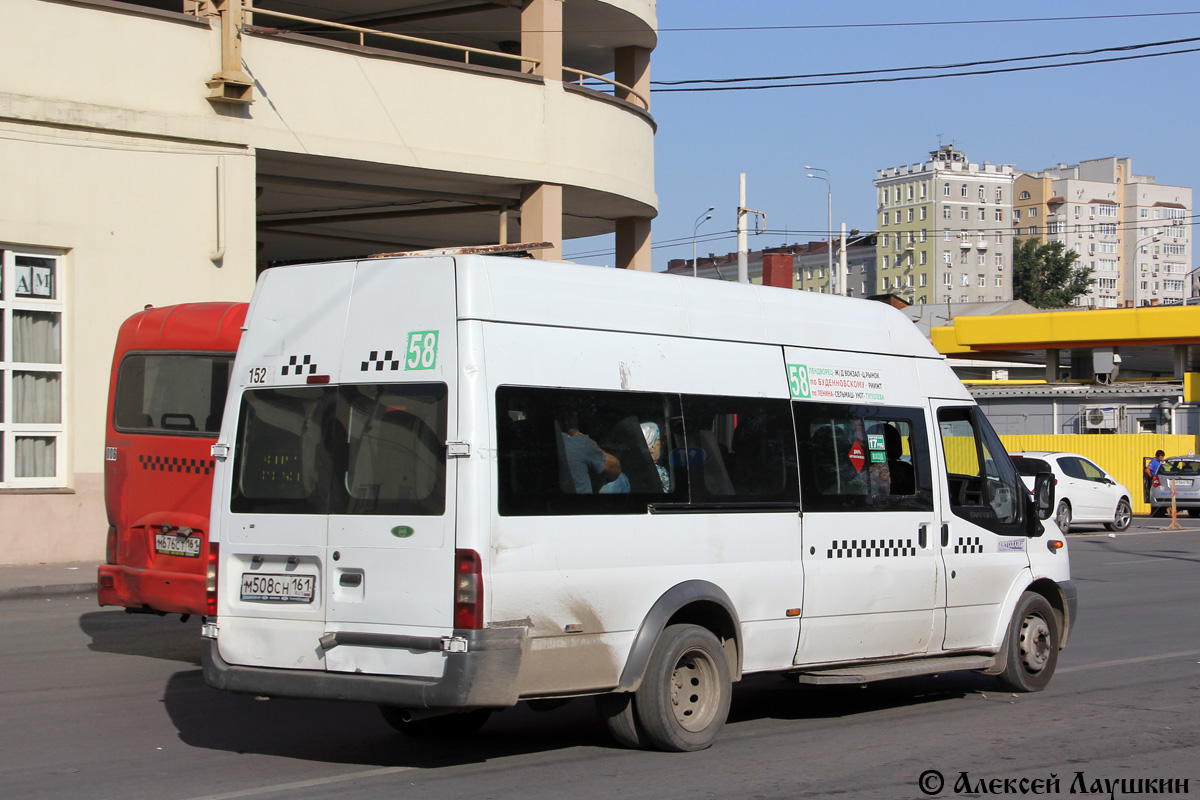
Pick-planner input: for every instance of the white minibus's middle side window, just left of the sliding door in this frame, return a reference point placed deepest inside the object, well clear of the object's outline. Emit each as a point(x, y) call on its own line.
point(741, 450)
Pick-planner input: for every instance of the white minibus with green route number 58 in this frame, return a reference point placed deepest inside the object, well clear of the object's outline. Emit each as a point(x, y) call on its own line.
point(447, 485)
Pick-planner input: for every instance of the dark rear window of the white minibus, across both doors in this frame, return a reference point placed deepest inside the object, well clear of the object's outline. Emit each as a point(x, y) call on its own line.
point(357, 450)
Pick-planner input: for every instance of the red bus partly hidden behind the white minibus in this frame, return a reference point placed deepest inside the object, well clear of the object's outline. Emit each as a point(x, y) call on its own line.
point(166, 394)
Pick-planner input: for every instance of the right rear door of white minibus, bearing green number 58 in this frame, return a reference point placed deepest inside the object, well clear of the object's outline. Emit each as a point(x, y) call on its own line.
point(391, 572)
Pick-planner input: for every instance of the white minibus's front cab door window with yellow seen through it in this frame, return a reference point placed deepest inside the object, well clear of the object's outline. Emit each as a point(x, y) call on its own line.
point(982, 482)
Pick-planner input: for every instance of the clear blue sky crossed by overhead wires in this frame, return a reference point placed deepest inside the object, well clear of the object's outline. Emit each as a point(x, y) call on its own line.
point(1145, 110)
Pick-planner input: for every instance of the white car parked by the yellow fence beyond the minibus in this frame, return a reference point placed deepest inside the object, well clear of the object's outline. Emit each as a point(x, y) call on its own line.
point(1085, 492)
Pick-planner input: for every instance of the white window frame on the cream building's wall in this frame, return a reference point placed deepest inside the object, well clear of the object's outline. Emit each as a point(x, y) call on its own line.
point(11, 430)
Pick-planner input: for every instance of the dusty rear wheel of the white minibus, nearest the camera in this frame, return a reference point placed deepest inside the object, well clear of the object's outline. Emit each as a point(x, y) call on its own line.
point(685, 699)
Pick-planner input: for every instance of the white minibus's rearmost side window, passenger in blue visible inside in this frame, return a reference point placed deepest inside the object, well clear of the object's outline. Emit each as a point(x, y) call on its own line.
point(586, 452)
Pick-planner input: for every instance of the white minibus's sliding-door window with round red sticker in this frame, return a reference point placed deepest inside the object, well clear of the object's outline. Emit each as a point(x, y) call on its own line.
point(863, 459)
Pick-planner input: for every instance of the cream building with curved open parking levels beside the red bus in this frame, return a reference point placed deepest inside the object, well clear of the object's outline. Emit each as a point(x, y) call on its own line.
point(159, 152)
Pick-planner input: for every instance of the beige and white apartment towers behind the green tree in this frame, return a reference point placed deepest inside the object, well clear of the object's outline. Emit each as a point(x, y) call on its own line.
point(1129, 228)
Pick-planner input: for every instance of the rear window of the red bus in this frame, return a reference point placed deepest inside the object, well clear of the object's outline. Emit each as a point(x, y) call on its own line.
point(172, 394)
